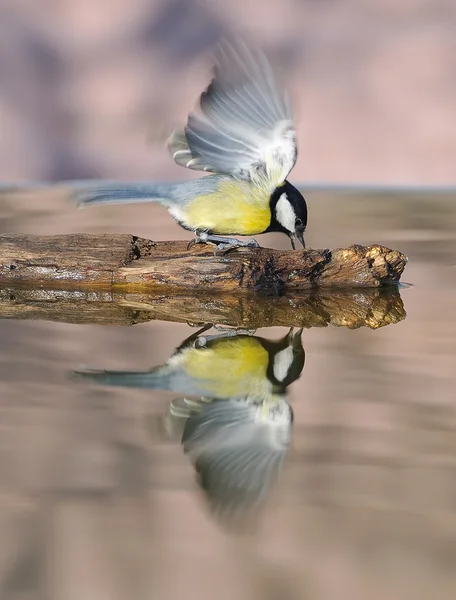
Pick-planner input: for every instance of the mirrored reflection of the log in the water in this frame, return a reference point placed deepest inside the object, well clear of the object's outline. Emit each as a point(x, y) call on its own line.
point(368, 307)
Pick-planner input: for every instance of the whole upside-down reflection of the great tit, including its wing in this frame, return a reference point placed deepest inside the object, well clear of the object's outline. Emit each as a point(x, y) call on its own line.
point(237, 427)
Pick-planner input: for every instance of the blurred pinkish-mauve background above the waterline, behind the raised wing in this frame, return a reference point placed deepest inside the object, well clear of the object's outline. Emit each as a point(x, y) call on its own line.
point(92, 88)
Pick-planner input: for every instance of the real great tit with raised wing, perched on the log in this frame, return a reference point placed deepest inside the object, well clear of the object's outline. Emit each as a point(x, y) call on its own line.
point(244, 136)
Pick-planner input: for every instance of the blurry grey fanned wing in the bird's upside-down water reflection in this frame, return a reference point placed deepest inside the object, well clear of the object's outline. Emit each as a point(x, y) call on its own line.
point(238, 447)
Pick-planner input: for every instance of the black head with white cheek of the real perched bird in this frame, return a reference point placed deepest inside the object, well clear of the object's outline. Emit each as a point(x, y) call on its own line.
point(288, 212)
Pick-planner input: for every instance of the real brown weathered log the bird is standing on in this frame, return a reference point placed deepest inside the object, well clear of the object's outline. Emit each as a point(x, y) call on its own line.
point(83, 261)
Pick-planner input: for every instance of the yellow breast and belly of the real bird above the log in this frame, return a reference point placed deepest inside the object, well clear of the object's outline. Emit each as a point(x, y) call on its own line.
point(235, 208)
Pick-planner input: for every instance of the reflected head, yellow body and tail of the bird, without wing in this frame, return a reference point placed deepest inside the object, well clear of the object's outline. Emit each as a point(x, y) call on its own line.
point(218, 366)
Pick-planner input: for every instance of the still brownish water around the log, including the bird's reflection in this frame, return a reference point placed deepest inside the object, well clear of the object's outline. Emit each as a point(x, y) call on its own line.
point(279, 463)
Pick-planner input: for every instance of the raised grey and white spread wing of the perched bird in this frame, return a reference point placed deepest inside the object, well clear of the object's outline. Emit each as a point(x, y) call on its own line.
point(244, 127)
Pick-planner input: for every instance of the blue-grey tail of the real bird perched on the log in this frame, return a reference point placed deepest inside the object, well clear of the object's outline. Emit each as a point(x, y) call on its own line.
point(105, 192)
